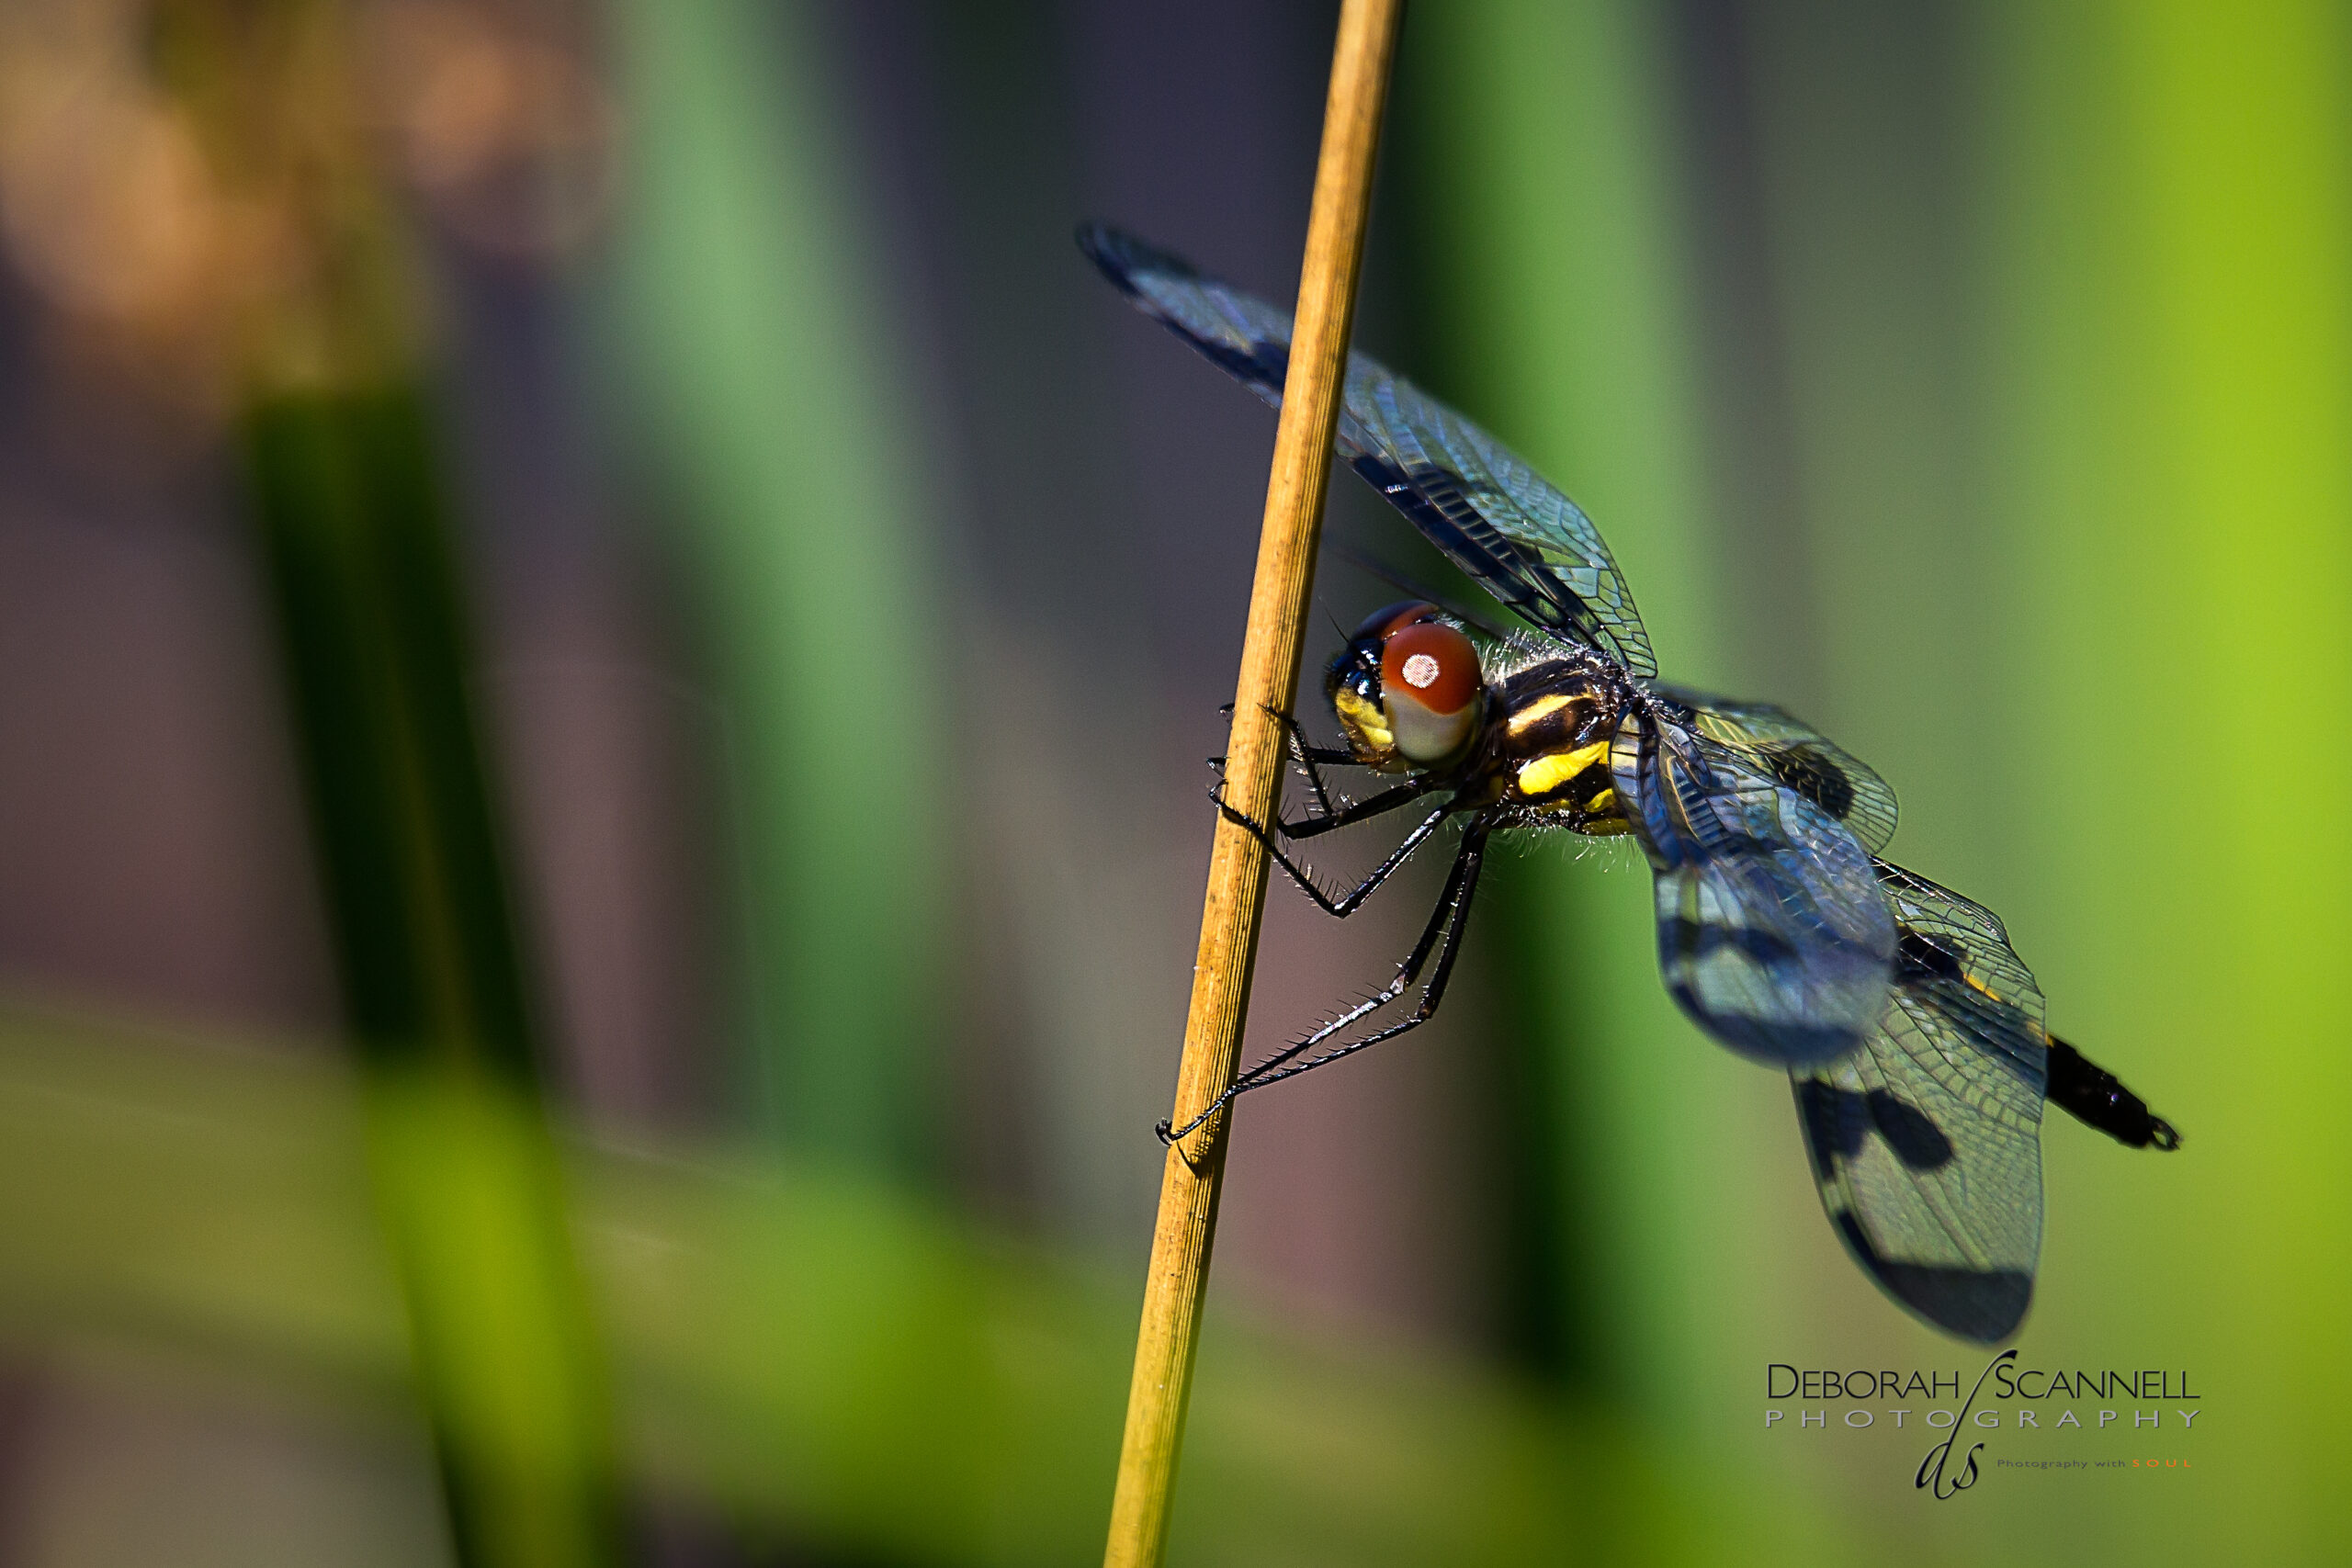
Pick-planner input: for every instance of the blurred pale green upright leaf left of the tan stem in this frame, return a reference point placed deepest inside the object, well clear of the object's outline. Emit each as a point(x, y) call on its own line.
point(766, 408)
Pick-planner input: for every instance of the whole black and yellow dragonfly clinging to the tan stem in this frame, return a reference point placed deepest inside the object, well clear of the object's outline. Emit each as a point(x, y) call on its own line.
point(1911, 1031)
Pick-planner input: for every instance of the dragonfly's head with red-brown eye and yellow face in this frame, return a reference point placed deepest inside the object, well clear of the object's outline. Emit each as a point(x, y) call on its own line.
point(1408, 688)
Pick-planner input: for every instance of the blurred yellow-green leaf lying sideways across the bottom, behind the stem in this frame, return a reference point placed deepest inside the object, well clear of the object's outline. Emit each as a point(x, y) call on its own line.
point(810, 1358)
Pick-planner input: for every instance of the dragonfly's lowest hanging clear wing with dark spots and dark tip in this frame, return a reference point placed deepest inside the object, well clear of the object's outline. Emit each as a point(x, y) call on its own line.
point(1927, 1144)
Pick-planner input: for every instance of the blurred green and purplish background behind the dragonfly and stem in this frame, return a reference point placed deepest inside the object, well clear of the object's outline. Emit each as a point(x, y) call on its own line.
point(606, 657)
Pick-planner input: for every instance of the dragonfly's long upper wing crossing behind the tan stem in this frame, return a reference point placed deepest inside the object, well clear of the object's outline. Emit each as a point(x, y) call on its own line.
point(1492, 514)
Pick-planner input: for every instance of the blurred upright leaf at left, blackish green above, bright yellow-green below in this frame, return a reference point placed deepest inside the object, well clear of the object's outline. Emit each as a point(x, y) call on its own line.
point(373, 629)
